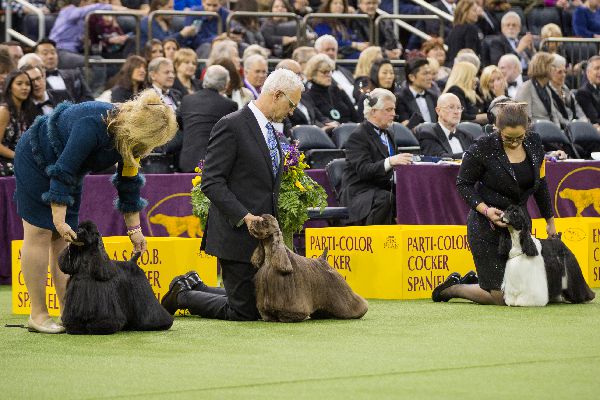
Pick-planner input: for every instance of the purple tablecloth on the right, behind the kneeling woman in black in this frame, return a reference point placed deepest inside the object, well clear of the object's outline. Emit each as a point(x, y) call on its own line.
point(426, 194)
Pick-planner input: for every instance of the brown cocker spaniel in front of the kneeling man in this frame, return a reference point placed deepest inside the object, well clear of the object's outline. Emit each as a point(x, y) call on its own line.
point(291, 288)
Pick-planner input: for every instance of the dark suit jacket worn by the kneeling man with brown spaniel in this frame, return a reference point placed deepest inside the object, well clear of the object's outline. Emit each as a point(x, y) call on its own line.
point(238, 180)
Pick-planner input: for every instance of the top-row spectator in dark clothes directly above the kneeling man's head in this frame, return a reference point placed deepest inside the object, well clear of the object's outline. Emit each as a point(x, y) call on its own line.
point(280, 32)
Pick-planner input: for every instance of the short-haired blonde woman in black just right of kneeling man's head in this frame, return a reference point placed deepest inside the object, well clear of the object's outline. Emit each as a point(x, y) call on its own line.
point(333, 102)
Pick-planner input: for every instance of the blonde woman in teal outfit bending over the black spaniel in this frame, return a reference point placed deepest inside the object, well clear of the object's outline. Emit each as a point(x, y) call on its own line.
point(52, 158)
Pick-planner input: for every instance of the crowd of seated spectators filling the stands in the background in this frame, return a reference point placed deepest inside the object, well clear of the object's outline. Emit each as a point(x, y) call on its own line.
point(488, 52)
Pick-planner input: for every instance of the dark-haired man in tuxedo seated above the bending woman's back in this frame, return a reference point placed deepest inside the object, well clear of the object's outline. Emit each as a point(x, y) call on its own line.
point(64, 84)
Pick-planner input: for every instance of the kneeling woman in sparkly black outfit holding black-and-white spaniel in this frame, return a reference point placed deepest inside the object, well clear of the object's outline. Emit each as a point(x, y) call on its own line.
point(499, 170)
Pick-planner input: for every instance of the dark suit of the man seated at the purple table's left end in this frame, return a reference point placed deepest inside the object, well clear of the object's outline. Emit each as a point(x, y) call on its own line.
point(364, 173)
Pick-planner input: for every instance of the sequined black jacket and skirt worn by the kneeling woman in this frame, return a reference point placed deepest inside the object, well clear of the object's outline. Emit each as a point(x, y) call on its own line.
point(486, 175)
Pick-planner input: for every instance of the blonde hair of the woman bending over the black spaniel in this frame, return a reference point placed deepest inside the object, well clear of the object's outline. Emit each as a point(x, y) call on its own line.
point(140, 125)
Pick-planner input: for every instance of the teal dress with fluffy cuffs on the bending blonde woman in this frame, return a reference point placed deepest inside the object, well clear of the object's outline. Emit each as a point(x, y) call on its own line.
point(54, 155)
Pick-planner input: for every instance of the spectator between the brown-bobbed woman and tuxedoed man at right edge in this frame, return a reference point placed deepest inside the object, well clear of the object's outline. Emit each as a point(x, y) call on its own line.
point(563, 99)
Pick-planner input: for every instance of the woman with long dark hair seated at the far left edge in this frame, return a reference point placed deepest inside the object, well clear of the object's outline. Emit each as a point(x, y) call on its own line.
point(16, 116)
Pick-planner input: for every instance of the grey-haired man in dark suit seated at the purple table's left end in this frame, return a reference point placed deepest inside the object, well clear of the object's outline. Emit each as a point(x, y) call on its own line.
point(368, 182)
